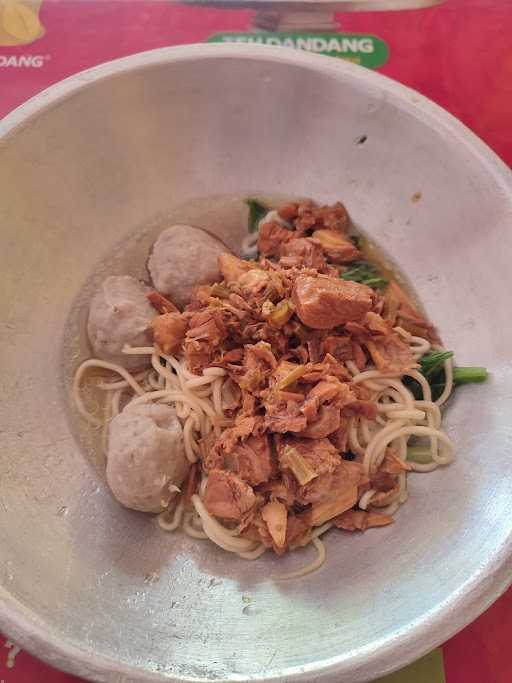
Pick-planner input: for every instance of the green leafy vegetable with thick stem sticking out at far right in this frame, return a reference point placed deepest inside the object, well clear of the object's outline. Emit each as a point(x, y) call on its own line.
point(432, 368)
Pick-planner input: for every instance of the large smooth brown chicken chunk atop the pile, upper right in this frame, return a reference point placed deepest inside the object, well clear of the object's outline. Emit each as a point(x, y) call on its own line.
point(325, 302)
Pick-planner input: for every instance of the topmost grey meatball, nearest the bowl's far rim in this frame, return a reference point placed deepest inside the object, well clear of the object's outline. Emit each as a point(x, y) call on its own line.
point(182, 258)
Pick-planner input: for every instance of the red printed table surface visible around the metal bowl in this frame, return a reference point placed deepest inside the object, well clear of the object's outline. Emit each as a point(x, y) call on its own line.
point(459, 54)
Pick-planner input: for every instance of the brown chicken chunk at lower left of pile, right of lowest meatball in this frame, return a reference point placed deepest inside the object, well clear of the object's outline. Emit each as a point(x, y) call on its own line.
point(227, 496)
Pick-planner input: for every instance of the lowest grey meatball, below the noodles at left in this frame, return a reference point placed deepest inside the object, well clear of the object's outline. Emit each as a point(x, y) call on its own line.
point(146, 456)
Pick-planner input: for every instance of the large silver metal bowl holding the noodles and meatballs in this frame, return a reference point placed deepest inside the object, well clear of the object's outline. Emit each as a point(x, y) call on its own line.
point(100, 591)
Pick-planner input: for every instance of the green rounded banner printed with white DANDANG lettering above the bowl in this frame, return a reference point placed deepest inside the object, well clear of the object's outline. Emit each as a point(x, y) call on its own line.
point(359, 48)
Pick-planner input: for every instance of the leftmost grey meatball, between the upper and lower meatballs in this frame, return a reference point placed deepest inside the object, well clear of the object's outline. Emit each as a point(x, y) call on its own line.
point(120, 314)
